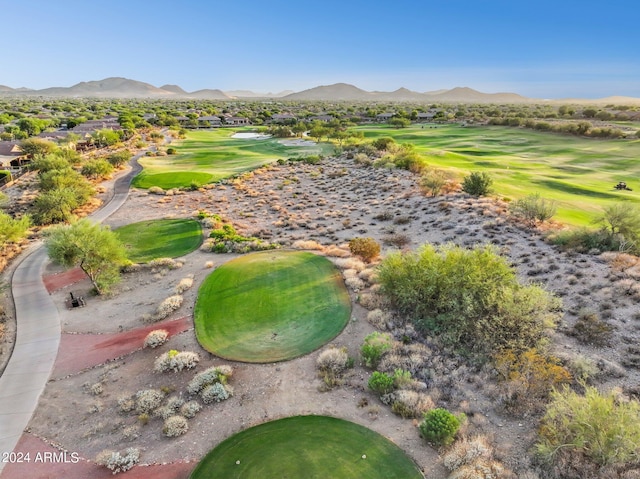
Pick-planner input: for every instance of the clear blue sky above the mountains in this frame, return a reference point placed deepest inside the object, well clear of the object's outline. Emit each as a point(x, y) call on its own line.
point(541, 49)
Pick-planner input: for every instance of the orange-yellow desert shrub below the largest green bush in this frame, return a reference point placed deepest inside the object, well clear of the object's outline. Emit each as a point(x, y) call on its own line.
point(526, 379)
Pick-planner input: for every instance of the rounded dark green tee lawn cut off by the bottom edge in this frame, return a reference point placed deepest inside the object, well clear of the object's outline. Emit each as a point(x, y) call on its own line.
point(309, 447)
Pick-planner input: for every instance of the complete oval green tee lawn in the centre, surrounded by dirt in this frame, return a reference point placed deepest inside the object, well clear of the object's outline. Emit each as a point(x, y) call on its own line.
point(271, 306)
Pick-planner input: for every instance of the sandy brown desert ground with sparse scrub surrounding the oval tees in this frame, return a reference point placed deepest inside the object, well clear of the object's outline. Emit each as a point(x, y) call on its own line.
point(329, 203)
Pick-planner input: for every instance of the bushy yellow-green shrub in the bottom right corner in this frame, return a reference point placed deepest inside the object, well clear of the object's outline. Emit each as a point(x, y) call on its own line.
point(597, 428)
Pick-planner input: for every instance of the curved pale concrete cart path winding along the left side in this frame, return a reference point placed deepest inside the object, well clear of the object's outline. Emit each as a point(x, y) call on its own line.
point(38, 332)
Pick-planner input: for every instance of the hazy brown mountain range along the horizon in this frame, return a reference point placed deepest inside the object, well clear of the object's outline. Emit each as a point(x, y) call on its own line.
point(117, 87)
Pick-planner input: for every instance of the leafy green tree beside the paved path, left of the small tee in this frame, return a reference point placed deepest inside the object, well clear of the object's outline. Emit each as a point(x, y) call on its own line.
point(93, 247)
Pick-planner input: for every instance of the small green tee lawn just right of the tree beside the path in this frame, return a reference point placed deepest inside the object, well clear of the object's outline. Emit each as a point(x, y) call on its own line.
point(148, 240)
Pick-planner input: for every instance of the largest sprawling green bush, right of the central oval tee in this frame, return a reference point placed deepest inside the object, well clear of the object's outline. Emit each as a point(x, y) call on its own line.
point(470, 298)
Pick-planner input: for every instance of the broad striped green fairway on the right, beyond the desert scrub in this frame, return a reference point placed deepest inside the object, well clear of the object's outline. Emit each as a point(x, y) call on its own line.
point(577, 172)
